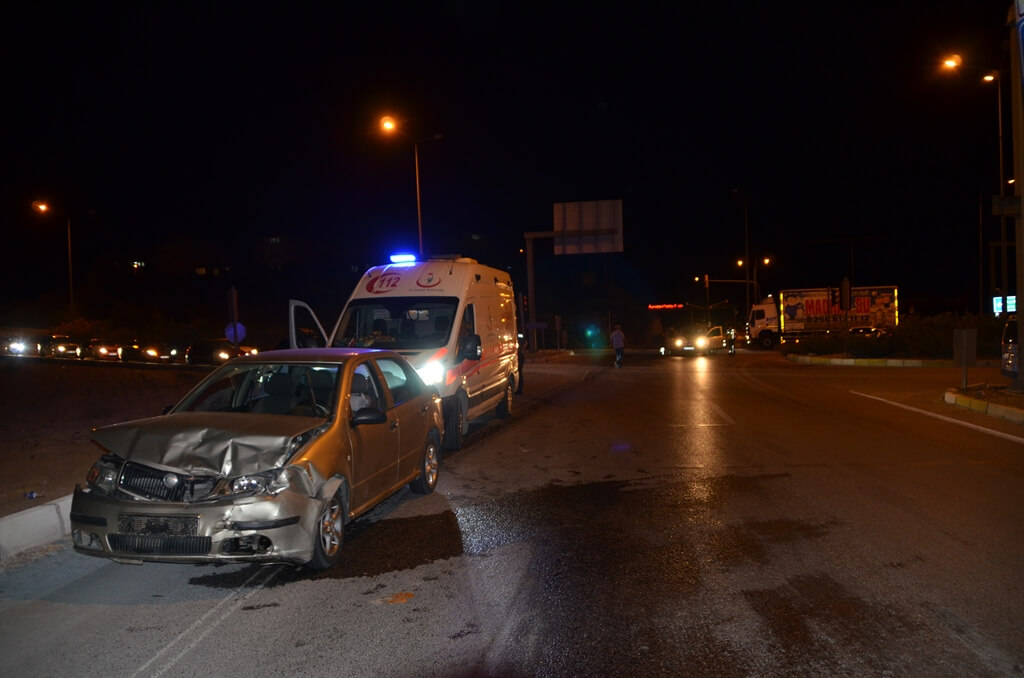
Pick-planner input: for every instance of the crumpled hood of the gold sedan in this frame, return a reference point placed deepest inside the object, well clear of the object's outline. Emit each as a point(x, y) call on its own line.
point(206, 443)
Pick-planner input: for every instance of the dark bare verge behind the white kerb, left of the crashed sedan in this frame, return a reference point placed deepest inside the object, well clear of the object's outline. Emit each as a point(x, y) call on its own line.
point(50, 409)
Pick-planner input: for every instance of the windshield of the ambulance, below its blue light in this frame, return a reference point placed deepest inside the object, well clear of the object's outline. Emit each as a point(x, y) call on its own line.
point(401, 323)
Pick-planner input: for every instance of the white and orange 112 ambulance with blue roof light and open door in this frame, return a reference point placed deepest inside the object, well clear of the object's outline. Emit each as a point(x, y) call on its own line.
point(452, 318)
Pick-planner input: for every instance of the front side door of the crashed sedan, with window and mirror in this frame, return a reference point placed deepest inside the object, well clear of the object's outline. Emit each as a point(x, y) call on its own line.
point(375, 442)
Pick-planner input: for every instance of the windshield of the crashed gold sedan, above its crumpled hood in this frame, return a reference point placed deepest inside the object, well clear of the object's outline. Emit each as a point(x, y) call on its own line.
point(279, 389)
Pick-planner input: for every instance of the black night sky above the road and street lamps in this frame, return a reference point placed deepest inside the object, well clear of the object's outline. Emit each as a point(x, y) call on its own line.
point(205, 129)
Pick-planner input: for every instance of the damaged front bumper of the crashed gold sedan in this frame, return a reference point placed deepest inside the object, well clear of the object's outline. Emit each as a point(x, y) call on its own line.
point(280, 528)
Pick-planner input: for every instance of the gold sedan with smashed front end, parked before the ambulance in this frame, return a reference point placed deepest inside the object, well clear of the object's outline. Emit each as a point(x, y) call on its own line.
point(265, 460)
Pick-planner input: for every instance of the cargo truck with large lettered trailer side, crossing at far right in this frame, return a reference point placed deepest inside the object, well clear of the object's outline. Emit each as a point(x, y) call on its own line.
point(797, 314)
